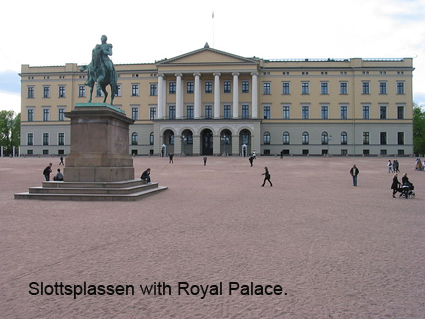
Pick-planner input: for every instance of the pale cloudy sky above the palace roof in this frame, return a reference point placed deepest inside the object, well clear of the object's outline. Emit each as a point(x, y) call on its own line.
point(50, 33)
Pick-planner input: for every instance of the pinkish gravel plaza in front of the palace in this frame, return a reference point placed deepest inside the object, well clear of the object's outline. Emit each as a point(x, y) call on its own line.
point(336, 250)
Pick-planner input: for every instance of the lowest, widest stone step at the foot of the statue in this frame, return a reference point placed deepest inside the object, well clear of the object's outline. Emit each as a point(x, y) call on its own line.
point(91, 197)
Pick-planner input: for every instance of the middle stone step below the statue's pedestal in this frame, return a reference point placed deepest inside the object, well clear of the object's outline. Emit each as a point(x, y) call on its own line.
point(84, 190)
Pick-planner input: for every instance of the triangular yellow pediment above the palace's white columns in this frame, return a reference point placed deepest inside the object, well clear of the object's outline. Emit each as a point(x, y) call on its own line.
point(208, 56)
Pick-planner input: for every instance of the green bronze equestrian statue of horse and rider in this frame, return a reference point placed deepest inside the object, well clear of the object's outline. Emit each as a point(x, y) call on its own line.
point(101, 70)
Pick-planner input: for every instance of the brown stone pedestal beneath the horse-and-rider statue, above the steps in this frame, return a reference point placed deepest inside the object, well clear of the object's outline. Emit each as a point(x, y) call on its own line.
point(99, 144)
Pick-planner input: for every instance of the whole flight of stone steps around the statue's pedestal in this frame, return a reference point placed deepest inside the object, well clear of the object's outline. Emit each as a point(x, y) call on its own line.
point(130, 190)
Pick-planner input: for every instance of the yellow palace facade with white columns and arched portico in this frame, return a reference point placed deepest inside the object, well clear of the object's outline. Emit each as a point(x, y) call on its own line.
point(210, 102)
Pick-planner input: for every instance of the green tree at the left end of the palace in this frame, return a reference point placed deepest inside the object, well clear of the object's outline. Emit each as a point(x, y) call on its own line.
point(10, 127)
